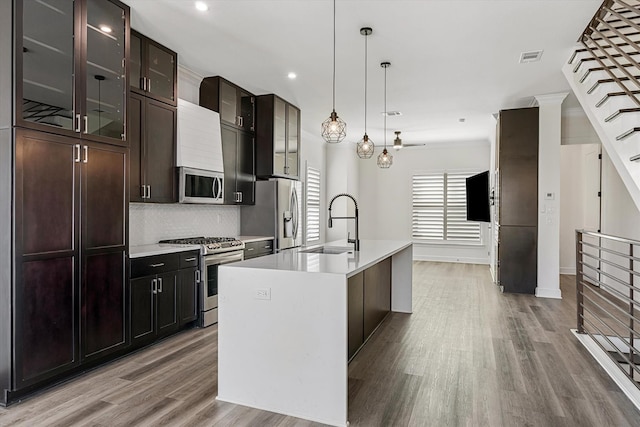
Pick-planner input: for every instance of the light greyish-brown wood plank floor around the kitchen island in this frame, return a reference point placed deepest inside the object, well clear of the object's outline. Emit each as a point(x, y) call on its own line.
point(468, 355)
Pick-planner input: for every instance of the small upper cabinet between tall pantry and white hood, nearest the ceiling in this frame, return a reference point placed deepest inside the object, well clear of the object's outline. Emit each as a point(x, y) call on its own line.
point(153, 69)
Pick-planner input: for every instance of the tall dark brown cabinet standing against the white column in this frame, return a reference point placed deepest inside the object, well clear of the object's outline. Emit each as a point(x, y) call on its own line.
point(517, 200)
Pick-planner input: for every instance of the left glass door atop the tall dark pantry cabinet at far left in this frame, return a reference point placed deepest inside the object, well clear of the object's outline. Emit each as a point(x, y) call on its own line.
point(47, 91)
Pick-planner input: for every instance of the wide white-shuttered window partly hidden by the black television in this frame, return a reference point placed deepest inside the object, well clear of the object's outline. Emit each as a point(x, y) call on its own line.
point(440, 209)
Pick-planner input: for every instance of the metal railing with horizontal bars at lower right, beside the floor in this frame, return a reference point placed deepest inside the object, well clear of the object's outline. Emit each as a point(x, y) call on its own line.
point(607, 270)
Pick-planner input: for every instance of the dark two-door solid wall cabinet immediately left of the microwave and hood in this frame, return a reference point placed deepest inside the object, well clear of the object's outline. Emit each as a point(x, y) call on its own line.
point(152, 138)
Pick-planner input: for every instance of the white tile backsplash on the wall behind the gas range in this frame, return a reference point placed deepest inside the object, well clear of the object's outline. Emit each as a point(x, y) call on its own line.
point(151, 222)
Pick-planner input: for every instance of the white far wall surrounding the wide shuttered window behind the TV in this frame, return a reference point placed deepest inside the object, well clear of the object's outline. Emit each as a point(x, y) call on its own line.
point(385, 195)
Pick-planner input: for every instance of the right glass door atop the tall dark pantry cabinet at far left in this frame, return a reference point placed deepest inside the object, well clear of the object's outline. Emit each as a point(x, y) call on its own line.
point(106, 89)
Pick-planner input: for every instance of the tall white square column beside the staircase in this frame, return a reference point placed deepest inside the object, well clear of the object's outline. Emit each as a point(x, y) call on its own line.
point(549, 195)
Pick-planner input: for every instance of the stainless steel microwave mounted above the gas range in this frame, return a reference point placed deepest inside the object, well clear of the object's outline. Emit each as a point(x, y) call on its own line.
point(200, 186)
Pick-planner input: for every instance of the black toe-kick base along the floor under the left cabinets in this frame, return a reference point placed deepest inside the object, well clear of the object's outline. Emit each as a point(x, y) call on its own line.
point(10, 397)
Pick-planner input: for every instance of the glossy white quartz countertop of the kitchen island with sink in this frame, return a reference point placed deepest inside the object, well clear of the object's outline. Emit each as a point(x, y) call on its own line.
point(347, 263)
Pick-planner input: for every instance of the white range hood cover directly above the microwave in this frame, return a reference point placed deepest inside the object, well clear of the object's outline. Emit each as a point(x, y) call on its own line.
point(199, 138)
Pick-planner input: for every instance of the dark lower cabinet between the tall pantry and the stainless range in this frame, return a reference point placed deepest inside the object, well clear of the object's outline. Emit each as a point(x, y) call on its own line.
point(163, 295)
